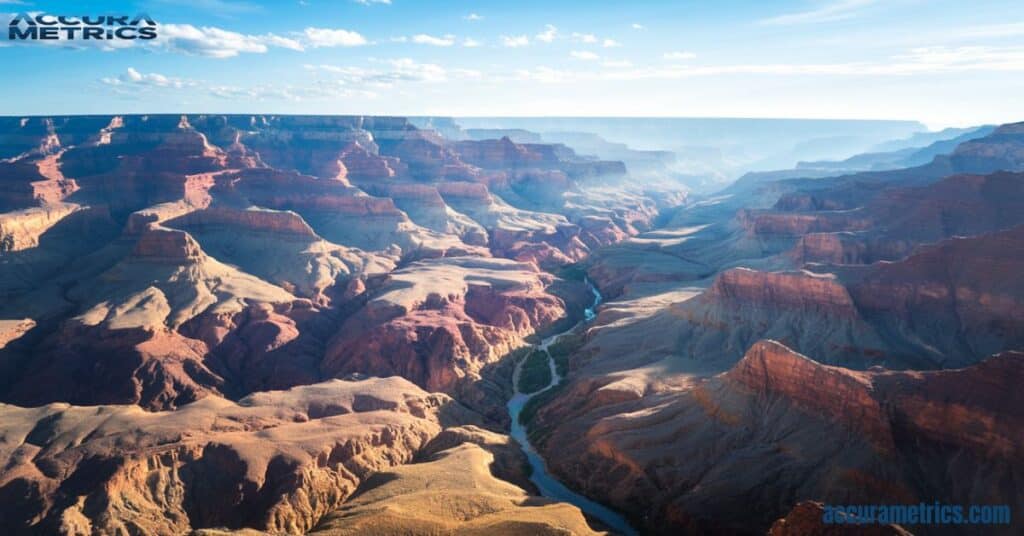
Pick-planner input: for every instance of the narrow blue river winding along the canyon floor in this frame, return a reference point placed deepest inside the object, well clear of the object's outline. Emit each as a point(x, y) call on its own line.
point(548, 485)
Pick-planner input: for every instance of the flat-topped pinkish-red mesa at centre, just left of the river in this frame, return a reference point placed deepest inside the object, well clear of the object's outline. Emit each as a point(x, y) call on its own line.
point(440, 322)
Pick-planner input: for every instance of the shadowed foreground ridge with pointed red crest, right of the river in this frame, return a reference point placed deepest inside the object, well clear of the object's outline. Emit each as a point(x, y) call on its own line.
point(738, 450)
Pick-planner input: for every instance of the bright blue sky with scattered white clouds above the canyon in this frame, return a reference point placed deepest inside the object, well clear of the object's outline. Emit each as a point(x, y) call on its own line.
point(943, 63)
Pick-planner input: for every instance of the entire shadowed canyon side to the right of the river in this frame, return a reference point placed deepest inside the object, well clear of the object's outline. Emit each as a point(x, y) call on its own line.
point(901, 292)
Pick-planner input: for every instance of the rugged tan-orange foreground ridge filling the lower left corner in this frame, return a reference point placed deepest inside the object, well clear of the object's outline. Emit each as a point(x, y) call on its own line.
point(275, 462)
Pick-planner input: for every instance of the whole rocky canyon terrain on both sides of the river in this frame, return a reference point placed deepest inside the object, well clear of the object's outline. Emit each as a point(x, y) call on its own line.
point(312, 324)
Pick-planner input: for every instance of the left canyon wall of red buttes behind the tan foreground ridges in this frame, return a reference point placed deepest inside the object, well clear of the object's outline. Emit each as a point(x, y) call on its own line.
point(160, 260)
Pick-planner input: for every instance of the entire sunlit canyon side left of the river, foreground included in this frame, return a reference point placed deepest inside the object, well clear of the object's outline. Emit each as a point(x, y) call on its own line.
point(215, 322)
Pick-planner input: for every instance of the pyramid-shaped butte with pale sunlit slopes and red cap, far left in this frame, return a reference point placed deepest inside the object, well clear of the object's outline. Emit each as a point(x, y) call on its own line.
point(125, 345)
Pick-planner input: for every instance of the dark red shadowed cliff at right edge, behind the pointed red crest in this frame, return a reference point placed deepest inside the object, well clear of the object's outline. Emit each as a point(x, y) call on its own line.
point(967, 287)
